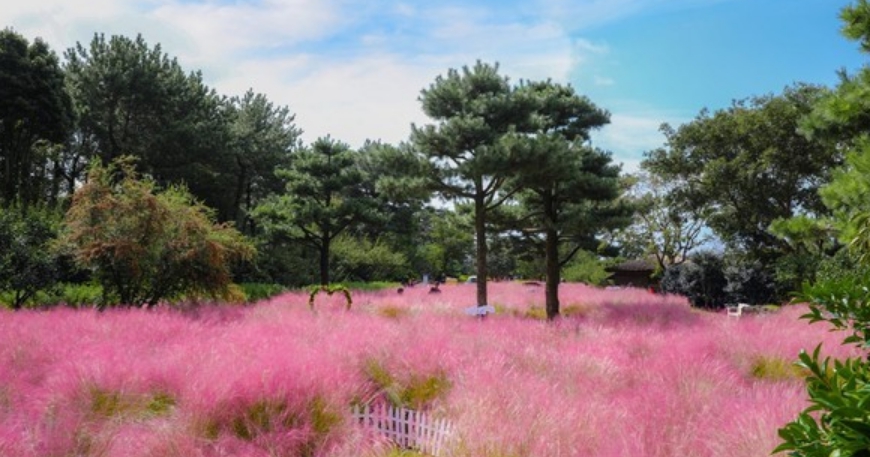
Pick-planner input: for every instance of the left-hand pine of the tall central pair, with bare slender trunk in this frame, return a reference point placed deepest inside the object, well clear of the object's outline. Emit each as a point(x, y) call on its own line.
point(474, 109)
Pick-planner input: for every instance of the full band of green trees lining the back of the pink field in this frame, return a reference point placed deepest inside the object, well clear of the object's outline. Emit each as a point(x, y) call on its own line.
point(528, 194)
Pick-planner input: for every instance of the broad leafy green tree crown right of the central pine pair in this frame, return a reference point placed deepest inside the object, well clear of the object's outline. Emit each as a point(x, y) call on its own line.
point(738, 165)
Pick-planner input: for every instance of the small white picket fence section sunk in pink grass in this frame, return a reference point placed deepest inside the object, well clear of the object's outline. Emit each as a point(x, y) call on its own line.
point(407, 428)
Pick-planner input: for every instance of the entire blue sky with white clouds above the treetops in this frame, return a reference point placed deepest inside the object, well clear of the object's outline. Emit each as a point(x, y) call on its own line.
point(354, 68)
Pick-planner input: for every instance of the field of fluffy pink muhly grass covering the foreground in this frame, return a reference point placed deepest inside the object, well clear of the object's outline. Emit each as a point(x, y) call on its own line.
point(624, 373)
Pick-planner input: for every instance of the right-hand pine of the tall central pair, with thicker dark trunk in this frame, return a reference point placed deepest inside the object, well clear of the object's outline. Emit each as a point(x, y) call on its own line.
point(568, 190)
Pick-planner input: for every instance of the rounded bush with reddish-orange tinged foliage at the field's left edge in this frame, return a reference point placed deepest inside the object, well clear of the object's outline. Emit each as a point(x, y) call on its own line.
point(145, 246)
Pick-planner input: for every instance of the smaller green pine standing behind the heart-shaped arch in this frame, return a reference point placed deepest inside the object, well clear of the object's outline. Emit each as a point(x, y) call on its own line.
point(325, 197)
